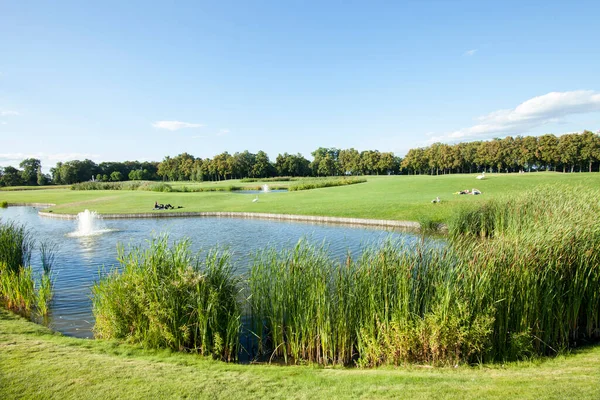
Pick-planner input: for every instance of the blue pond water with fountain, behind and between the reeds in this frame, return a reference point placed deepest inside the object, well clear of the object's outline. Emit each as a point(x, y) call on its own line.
point(81, 259)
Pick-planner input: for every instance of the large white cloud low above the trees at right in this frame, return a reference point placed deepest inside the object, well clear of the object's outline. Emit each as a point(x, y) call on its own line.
point(535, 112)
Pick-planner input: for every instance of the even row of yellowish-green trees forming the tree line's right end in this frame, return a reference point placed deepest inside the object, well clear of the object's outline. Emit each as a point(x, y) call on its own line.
point(566, 153)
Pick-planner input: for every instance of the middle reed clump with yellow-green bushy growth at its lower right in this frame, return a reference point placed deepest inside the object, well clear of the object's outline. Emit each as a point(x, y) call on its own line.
point(391, 306)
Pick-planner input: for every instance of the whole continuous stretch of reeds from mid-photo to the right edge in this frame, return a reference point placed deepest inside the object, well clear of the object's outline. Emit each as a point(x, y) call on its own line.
point(519, 277)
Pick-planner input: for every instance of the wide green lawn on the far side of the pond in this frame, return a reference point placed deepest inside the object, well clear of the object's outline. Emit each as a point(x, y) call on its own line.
point(381, 197)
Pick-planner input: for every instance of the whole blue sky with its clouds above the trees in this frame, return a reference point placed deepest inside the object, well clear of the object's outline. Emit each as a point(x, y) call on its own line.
point(117, 81)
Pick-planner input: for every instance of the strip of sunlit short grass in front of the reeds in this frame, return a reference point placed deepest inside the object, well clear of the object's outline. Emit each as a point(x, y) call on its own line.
point(35, 363)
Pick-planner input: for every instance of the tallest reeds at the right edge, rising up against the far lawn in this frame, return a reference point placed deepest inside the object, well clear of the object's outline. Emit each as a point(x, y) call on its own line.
point(541, 260)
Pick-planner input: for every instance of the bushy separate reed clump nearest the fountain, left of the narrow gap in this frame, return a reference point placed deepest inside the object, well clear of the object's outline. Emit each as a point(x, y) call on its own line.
point(166, 297)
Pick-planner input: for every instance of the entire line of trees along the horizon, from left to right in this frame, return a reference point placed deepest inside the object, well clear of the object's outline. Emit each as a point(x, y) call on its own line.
point(566, 153)
